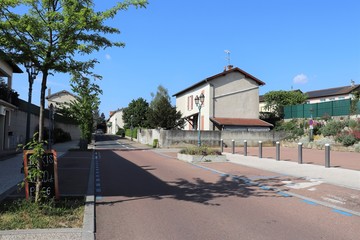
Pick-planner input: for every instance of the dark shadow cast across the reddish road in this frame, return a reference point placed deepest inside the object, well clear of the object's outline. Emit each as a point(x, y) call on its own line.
point(133, 182)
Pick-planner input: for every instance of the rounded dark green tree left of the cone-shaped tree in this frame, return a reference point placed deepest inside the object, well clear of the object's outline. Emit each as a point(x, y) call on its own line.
point(135, 114)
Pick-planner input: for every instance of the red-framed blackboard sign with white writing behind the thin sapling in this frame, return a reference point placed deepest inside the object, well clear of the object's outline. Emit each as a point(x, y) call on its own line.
point(48, 165)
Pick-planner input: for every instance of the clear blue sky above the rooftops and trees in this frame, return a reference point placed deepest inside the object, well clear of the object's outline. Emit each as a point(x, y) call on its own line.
point(288, 44)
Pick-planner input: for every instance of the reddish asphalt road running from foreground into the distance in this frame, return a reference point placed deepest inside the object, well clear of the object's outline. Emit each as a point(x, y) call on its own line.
point(146, 195)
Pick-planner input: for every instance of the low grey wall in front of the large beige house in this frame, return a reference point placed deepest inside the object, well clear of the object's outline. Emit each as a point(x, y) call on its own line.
point(181, 138)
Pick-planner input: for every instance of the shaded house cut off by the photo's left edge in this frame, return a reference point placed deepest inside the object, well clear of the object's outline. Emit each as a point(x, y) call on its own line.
point(7, 69)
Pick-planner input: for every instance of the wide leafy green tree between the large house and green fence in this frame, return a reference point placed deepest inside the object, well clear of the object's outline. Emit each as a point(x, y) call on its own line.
point(276, 100)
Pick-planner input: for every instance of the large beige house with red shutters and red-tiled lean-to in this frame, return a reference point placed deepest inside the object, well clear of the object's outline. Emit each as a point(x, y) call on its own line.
point(231, 101)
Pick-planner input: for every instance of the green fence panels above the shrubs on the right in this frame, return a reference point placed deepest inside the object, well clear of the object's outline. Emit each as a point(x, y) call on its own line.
point(332, 108)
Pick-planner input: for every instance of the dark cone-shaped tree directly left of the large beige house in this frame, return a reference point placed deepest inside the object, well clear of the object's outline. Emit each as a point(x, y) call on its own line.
point(161, 114)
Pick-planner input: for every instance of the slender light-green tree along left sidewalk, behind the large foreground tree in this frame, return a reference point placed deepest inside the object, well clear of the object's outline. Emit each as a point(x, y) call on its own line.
point(82, 109)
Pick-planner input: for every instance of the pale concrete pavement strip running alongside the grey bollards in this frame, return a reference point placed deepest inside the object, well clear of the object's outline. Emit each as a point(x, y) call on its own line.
point(336, 176)
